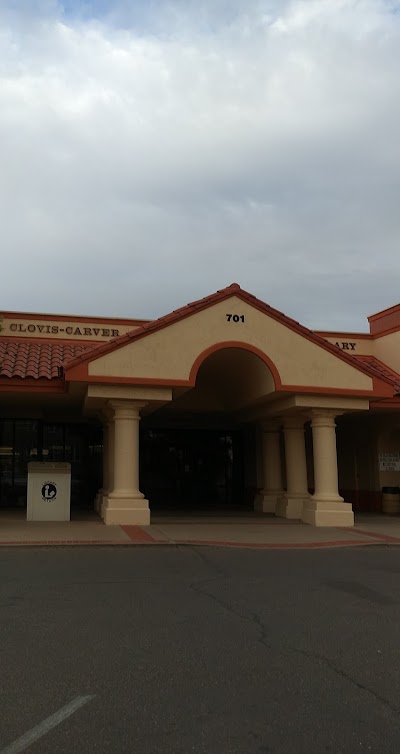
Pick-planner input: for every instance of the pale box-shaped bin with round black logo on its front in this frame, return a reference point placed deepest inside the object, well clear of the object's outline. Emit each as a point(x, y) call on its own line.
point(49, 491)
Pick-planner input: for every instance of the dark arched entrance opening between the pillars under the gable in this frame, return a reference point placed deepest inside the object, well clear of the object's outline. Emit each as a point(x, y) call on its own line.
point(199, 453)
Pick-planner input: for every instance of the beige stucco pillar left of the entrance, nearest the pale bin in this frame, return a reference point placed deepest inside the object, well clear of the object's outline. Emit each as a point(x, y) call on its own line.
point(125, 503)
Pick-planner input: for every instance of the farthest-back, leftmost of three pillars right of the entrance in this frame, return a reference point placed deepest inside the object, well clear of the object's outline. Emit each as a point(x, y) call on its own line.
point(268, 497)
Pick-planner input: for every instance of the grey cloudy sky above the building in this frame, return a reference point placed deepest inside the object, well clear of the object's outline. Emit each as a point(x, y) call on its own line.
point(154, 151)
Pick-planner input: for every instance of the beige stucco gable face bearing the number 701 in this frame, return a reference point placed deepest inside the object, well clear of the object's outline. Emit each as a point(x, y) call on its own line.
point(170, 353)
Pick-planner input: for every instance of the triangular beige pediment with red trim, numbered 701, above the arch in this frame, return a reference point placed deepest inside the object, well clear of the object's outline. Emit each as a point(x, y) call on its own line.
point(170, 350)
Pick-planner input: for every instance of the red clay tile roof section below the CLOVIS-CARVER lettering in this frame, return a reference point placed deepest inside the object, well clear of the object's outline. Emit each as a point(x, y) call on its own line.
point(27, 359)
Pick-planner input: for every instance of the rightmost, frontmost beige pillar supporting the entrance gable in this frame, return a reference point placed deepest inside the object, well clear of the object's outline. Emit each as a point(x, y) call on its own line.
point(326, 507)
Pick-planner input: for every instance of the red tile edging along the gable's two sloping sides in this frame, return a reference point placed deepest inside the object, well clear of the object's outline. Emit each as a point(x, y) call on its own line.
point(232, 290)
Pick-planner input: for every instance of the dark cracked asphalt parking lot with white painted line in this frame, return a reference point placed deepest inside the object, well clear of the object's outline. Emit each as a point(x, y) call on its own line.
point(197, 649)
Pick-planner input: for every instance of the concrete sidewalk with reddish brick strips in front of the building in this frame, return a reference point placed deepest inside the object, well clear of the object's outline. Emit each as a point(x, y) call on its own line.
point(247, 530)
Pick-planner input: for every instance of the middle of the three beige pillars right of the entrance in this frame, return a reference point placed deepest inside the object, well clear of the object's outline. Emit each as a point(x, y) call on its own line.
point(292, 501)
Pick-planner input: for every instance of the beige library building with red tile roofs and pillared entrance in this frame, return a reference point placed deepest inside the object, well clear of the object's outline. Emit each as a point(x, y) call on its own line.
point(221, 406)
